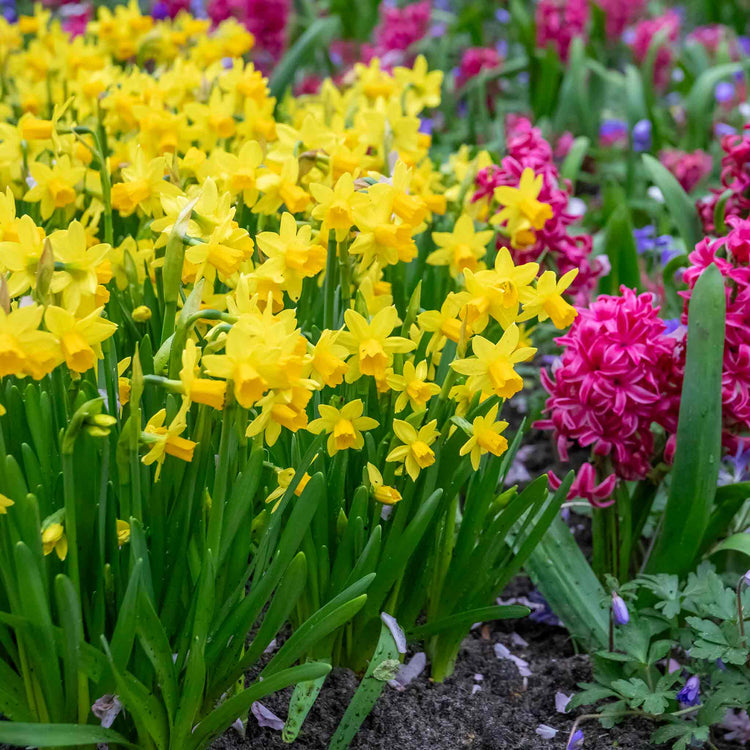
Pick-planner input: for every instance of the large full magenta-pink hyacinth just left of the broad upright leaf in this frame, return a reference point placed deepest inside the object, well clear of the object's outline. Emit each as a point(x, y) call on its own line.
point(617, 376)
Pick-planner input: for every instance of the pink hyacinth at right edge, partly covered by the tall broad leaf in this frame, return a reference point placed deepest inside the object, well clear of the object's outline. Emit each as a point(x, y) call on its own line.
point(731, 255)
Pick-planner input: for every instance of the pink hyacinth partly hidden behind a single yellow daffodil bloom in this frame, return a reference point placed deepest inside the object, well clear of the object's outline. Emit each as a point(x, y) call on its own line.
point(527, 147)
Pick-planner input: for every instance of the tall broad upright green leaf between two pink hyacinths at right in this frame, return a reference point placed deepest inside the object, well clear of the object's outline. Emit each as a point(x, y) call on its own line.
point(696, 464)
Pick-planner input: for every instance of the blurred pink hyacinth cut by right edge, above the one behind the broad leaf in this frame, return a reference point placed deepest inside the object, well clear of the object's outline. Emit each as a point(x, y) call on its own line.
point(735, 176)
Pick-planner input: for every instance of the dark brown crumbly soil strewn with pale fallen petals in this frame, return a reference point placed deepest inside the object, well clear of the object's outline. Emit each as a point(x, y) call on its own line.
point(448, 716)
